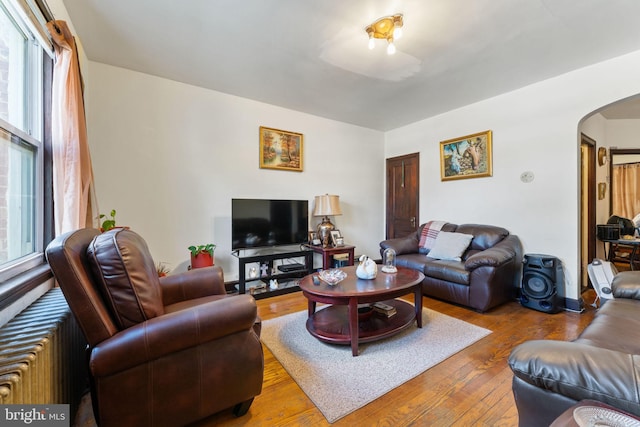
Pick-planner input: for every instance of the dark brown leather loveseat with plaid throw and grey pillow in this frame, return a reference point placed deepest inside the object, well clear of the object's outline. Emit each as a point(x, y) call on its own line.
point(488, 274)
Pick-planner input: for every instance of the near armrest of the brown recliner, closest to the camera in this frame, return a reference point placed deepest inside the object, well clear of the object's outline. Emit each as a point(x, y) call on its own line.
point(173, 332)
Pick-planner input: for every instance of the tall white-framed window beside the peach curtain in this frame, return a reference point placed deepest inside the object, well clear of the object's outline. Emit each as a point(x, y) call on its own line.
point(22, 126)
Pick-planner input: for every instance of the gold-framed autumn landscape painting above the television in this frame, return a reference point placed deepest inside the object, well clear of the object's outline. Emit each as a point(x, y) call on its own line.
point(280, 149)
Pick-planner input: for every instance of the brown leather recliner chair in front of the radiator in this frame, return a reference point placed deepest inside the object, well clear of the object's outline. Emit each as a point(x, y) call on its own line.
point(161, 351)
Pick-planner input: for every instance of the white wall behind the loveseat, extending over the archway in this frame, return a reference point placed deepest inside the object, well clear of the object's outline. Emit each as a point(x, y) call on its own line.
point(535, 128)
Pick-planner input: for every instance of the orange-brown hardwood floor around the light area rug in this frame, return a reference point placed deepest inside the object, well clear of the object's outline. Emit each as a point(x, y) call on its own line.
point(472, 387)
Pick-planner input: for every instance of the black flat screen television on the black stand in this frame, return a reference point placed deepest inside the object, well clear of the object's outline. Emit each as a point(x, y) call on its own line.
point(259, 223)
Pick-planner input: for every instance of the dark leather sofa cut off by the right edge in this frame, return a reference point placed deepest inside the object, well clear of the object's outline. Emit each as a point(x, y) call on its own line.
point(602, 364)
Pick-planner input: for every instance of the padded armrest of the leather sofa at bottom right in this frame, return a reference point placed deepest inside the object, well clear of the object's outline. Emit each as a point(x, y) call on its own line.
point(579, 371)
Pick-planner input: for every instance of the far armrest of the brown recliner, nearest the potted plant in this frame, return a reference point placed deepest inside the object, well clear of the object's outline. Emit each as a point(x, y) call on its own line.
point(195, 283)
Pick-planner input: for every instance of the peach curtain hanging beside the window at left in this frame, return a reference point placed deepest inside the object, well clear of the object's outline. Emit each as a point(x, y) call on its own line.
point(73, 189)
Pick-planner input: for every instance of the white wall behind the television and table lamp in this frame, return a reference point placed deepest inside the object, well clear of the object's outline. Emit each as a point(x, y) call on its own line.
point(169, 158)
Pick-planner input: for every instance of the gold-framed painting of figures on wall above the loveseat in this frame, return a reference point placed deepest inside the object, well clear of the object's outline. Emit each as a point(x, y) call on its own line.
point(466, 157)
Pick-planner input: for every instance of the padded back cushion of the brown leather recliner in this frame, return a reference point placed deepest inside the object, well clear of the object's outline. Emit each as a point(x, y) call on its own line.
point(126, 273)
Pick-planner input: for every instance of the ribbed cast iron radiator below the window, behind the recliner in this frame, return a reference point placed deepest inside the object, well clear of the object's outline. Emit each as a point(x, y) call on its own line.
point(42, 355)
